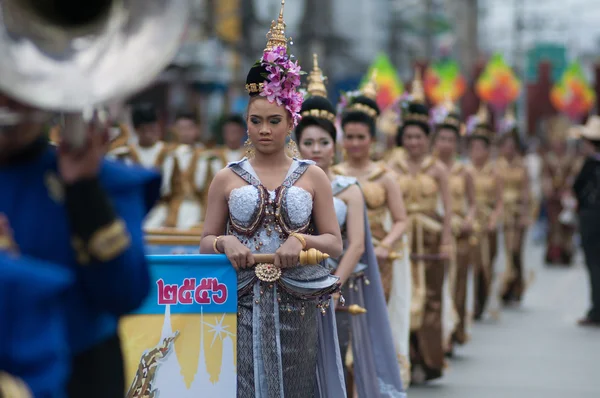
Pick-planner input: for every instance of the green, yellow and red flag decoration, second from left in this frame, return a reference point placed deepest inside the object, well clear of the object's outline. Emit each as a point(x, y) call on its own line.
point(443, 82)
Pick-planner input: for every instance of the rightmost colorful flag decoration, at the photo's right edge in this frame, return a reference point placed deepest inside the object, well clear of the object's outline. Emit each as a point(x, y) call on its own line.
point(572, 95)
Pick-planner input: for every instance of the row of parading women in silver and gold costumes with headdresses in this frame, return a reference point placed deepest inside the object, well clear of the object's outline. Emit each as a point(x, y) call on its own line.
point(418, 228)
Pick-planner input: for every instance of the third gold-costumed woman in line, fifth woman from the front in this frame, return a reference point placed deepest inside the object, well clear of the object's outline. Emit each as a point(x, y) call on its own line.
point(449, 131)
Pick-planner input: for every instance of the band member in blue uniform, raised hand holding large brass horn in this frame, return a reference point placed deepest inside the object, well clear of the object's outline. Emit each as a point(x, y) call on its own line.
point(85, 213)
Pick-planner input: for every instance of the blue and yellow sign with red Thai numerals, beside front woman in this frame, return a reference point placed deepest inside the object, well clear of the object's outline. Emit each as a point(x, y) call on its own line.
point(182, 341)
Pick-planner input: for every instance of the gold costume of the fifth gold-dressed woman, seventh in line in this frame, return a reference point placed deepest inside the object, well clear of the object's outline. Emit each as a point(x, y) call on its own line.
point(515, 211)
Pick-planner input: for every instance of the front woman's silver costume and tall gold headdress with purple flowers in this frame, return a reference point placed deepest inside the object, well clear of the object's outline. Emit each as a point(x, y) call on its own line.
point(287, 339)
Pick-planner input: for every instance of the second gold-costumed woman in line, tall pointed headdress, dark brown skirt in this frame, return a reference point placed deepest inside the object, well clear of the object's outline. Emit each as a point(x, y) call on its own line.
point(423, 181)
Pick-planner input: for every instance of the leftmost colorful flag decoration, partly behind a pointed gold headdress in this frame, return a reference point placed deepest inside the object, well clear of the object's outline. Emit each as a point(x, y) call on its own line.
point(389, 86)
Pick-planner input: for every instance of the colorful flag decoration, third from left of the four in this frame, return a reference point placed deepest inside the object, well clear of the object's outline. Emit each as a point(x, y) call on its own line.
point(498, 85)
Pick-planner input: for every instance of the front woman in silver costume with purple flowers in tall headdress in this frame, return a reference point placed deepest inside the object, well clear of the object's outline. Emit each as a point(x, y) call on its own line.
point(270, 202)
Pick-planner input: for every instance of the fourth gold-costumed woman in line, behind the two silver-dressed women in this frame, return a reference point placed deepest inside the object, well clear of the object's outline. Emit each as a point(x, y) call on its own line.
point(489, 202)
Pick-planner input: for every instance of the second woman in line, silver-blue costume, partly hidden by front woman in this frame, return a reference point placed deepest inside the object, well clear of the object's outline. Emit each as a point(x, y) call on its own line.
point(375, 368)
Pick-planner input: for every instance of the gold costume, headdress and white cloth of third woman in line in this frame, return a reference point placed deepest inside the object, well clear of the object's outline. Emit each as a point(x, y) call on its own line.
point(395, 271)
